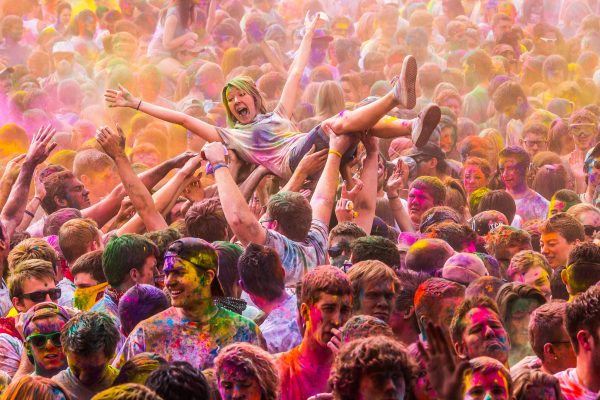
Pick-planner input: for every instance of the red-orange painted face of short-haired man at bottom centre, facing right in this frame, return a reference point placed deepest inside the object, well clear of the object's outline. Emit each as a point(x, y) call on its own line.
point(330, 311)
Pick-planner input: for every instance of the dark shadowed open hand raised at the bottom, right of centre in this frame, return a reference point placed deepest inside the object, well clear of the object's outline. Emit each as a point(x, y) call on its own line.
point(445, 375)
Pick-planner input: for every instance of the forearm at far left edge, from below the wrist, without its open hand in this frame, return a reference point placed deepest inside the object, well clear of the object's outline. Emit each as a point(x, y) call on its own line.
point(12, 213)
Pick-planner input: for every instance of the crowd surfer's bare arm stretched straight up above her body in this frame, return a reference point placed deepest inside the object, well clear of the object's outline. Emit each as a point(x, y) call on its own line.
point(287, 102)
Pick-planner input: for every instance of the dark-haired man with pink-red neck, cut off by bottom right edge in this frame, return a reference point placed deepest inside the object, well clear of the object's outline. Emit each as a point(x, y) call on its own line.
point(583, 325)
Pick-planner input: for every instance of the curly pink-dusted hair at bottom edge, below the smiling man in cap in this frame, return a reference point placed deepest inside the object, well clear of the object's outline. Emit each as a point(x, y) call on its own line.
point(254, 362)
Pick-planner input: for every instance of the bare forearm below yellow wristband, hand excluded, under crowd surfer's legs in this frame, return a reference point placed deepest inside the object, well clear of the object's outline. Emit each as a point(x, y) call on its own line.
point(323, 198)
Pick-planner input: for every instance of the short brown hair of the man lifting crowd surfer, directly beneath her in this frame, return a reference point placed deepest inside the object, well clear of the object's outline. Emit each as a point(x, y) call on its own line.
point(293, 214)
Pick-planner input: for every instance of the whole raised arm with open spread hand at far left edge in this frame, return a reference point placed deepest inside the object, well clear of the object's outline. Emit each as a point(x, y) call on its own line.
point(39, 149)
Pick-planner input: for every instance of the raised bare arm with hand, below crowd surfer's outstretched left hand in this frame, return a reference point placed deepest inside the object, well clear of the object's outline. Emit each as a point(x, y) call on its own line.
point(113, 144)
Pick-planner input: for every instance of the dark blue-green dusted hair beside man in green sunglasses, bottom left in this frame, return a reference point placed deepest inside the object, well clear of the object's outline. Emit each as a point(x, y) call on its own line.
point(90, 332)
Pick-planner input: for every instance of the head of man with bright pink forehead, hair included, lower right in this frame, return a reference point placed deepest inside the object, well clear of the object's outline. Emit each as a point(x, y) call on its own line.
point(477, 330)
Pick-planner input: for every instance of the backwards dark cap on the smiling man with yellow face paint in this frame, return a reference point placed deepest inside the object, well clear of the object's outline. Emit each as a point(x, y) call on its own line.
point(200, 253)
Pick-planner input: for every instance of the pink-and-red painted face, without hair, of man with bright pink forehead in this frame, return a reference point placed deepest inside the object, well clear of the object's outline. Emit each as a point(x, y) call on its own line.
point(484, 335)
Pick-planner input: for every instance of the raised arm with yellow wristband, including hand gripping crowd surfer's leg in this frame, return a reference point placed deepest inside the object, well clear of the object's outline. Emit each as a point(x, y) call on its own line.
point(323, 199)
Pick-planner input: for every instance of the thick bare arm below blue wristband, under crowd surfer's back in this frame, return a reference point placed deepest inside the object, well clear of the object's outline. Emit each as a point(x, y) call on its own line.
point(237, 212)
